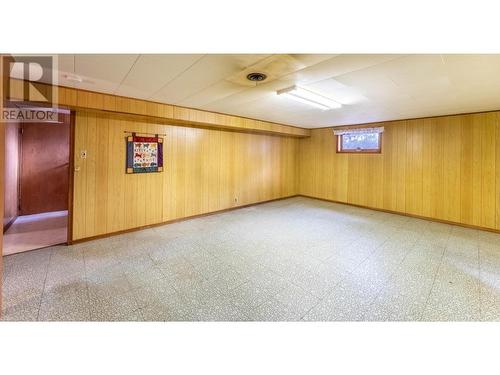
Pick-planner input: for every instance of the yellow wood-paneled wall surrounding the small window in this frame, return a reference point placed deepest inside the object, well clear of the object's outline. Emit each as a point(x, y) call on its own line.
point(445, 168)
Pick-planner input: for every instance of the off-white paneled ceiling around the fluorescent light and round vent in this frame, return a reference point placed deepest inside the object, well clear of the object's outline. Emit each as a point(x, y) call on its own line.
point(369, 87)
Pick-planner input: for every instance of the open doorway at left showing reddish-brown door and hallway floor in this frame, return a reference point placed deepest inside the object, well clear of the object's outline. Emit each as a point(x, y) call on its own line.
point(37, 184)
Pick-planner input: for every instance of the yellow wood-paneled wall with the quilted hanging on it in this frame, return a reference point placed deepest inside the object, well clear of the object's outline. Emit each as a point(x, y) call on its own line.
point(205, 170)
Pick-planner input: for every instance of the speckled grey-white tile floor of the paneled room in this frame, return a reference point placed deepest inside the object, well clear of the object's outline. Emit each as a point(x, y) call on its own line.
point(289, 260)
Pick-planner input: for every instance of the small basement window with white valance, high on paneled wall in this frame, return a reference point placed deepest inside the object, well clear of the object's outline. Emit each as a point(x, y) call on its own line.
point(359, 140)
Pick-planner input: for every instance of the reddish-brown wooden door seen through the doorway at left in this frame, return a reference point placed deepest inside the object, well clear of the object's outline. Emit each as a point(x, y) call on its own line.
point(44, 173)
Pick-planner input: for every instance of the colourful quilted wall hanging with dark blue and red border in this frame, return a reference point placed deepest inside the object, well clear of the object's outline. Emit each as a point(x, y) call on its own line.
point(144, 154)
